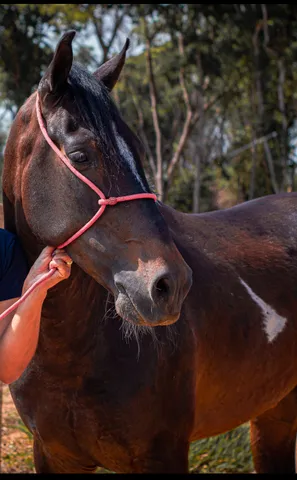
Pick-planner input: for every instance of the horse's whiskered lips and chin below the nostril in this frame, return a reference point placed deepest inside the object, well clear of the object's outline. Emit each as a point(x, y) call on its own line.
point(129, 312)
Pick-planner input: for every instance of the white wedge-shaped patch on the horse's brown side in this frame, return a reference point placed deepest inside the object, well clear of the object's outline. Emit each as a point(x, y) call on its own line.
point(273, 322)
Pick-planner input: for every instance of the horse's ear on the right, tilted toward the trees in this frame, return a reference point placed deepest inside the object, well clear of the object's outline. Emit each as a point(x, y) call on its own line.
point(110, 71)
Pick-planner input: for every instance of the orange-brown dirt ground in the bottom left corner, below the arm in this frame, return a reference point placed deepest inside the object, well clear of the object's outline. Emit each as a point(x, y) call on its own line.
point(16, 444)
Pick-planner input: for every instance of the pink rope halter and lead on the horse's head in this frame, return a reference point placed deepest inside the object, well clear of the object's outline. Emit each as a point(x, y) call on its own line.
point(103, 203)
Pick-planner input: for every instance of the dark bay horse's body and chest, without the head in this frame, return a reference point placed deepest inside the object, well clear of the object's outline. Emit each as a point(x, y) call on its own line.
point(214, 370)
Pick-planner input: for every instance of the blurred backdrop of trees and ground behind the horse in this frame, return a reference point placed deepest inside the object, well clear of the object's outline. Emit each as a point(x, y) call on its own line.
point(211, 92)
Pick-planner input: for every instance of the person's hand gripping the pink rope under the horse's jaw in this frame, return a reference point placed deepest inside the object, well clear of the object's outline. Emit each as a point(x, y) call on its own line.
point(49, 258)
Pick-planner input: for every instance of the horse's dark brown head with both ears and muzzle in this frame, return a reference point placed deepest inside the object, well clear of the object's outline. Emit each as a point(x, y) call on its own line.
point(128, 250)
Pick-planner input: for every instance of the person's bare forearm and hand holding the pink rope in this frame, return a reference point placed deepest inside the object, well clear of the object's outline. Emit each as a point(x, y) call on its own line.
point(19, 331)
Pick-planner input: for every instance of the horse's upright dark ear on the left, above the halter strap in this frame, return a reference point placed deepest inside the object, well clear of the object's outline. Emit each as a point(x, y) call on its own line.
point(53, 83)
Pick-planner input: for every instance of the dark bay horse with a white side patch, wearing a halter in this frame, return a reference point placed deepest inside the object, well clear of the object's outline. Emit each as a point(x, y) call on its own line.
point(172, 327)
